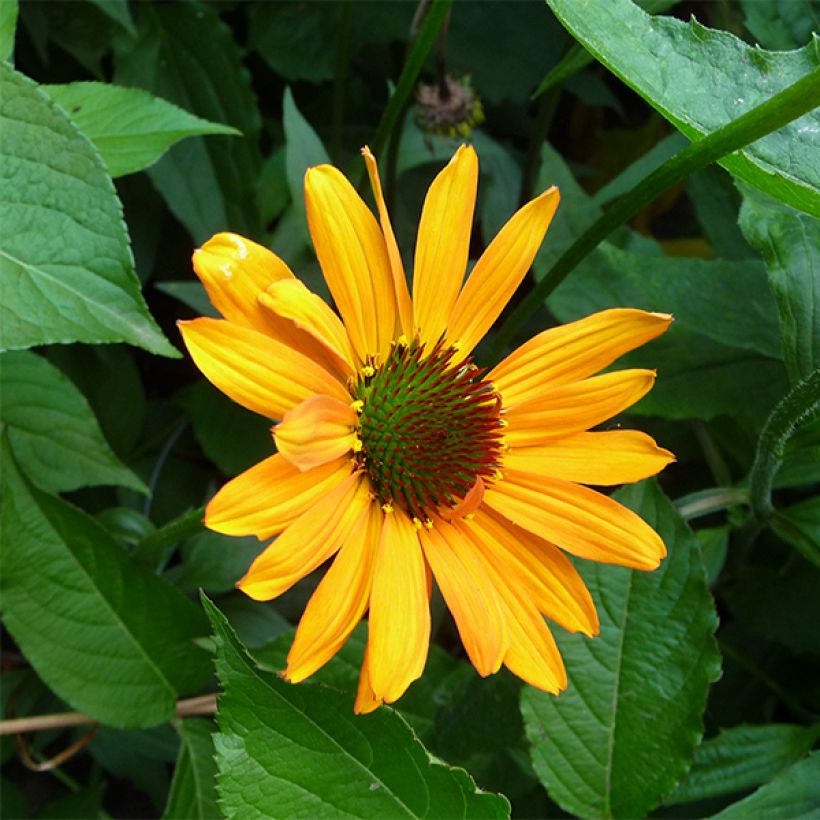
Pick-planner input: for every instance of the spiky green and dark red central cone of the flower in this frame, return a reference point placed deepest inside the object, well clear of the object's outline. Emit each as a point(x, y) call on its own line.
point(429, 428)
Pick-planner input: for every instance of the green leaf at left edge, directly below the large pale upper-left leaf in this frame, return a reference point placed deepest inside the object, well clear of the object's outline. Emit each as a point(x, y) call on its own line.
point(52, 430)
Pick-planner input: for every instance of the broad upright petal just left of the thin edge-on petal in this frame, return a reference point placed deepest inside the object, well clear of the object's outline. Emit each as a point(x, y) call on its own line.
point(351, 250)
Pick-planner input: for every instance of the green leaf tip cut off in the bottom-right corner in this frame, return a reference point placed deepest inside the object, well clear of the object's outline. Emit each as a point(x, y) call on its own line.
point(793, 793)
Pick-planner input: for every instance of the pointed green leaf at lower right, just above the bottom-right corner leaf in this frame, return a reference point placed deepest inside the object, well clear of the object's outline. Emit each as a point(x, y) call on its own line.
point(741, 758)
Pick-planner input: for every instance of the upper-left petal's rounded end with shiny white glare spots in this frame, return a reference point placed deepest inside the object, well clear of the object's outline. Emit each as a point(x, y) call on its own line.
point(235, 271)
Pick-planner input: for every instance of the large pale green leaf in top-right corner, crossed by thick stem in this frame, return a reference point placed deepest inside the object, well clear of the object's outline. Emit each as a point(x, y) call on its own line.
point(670, 63)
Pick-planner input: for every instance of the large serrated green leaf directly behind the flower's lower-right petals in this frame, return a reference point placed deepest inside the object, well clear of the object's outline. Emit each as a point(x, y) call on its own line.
point(623, 734)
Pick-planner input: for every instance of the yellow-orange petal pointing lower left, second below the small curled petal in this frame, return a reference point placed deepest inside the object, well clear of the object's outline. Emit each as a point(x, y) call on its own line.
point(308, 541)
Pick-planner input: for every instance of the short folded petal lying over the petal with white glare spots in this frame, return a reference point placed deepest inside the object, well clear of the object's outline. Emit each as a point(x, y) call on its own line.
point(291, 300)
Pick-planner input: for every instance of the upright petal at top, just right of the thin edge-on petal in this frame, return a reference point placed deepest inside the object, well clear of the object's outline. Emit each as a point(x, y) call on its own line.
point(443, 243)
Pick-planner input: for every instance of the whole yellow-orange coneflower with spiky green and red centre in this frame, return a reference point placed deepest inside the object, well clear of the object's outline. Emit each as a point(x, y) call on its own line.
point(405, 461)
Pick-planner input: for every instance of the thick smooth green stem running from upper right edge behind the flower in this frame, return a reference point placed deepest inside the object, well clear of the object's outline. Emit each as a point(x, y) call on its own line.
point(779, 110)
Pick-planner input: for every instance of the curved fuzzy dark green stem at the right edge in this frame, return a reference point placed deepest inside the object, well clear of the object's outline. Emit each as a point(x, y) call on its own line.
point(802, 402)
